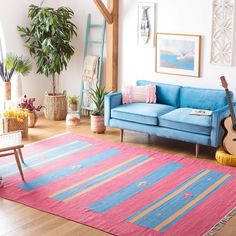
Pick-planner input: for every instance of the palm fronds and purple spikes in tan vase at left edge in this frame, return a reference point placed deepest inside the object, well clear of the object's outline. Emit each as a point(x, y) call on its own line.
point(12, 64)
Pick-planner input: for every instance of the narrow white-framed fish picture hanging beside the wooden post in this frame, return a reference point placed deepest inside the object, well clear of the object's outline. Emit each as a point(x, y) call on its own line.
point(146, 24)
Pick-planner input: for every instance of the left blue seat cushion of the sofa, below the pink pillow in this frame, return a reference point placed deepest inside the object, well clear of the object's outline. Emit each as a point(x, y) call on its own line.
point(144, 113)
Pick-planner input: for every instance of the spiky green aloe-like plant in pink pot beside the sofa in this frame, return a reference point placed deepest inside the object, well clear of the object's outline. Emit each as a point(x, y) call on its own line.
point(97, 116)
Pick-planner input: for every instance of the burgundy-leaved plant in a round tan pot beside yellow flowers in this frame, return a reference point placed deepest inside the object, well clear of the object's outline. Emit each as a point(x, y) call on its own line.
point(28, 104)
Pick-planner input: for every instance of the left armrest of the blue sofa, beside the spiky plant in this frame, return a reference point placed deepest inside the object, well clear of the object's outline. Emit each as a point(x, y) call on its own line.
point(111, 100)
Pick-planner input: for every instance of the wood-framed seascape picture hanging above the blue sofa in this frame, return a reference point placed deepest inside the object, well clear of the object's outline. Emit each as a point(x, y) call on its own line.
point(178, 54)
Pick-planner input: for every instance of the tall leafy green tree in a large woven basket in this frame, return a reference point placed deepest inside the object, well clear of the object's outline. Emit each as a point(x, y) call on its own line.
point(49, 41)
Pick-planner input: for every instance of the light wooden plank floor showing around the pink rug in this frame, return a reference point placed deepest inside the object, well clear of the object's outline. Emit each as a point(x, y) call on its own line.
point(17, 219)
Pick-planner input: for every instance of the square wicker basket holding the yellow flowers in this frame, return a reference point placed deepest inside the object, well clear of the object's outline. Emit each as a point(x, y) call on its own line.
point(11, 124)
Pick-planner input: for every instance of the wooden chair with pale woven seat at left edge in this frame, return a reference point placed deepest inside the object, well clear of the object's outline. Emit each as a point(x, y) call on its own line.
point(11, 144)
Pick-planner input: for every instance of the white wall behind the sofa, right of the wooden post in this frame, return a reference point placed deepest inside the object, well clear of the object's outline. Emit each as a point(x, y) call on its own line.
point(180, 17)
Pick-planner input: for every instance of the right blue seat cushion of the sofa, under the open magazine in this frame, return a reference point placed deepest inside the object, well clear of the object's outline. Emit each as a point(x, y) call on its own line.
point(180, 119)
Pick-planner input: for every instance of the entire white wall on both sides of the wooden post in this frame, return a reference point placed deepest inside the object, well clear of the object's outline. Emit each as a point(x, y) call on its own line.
point(173, 16)
